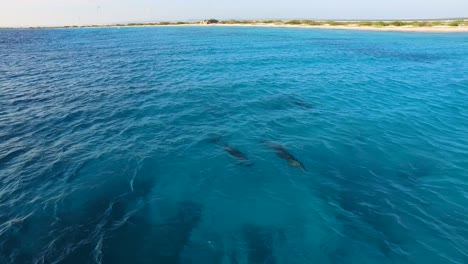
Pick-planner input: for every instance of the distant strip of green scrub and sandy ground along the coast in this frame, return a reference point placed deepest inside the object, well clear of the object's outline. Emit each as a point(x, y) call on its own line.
point(298, 22)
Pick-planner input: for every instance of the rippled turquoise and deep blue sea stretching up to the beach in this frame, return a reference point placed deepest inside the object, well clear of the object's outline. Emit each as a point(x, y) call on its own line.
point(177, 145)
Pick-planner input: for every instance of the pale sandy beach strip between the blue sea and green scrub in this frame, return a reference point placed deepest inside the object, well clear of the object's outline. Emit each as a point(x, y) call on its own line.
point(389, 28)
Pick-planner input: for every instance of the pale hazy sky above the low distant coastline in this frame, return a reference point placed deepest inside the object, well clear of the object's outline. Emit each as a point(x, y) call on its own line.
point(79, 12)
